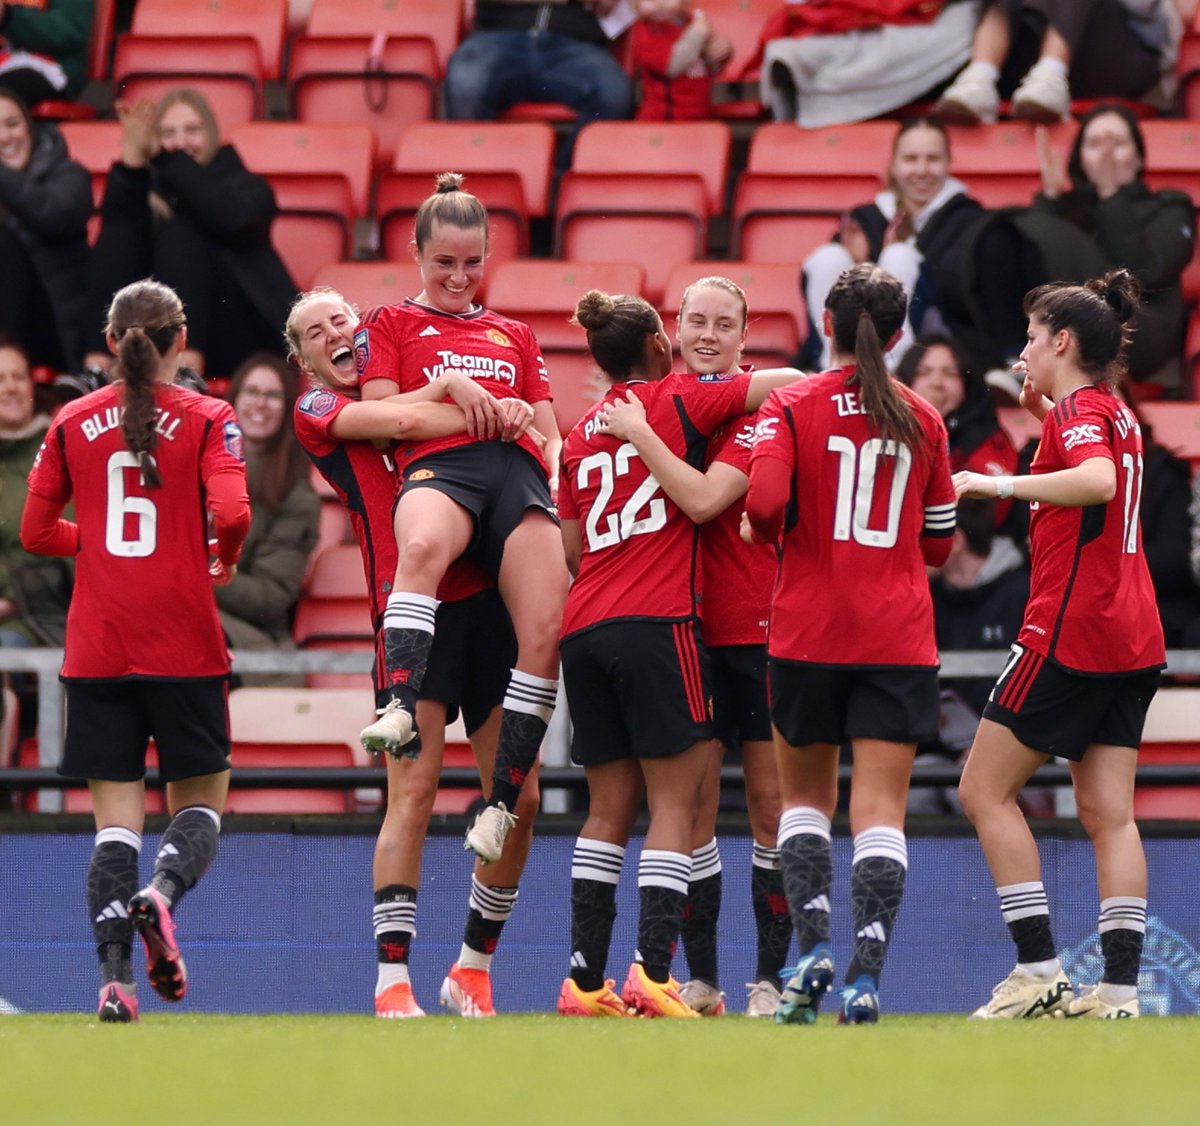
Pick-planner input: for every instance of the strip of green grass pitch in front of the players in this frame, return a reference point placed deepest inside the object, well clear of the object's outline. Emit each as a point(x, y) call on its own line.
point(179, 1070)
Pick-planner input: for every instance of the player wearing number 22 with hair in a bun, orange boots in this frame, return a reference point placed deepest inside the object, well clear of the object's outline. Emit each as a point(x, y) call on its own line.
point(637, 670)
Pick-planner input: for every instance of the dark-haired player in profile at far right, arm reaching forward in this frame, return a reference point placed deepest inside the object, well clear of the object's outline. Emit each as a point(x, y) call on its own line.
point(1087, 662)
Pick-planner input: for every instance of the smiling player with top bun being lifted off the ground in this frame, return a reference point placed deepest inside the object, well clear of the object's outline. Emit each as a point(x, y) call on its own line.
point(465, 494)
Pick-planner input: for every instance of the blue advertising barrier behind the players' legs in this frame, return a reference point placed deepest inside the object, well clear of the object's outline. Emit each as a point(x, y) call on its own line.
point(283, 924)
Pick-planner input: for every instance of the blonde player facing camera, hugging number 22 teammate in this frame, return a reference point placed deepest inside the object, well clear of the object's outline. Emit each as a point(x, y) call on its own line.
point(734, 610)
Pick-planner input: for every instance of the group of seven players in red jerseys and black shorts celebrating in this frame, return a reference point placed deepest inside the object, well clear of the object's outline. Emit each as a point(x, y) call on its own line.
point(712, 558)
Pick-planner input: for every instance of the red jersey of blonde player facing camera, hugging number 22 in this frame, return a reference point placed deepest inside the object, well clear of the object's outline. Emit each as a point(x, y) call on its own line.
point(736, 578)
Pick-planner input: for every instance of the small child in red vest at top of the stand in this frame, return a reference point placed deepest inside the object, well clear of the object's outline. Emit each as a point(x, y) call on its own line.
point(675, 53)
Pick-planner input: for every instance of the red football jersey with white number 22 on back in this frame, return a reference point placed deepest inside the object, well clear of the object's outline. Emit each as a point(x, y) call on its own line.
point(640, 550)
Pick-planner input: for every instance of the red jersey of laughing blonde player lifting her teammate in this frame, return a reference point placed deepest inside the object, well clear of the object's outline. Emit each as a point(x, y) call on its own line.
point(364, 478)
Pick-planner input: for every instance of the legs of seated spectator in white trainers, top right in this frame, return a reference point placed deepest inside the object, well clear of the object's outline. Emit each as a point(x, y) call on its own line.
point(1042, 53)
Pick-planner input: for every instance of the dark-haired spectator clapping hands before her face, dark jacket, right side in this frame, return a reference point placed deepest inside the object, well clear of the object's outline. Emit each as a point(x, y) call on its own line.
point(1151, 233)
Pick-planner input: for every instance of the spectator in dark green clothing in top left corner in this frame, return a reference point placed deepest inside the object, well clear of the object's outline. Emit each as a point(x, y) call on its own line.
point(44, 49)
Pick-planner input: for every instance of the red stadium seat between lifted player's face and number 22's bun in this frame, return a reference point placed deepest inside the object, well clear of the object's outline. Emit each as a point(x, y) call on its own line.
point(544, 292)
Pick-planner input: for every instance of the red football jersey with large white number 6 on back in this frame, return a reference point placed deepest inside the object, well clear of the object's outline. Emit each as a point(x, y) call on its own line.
point(143, 603)
